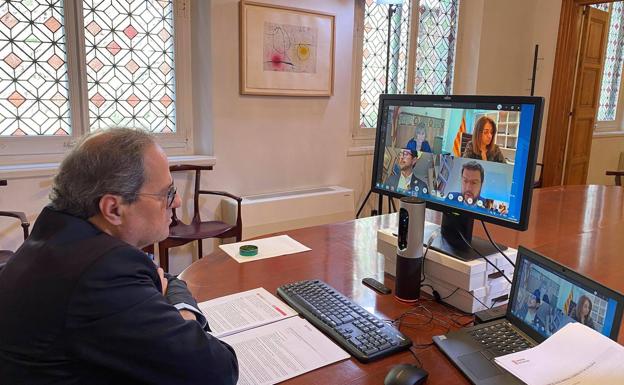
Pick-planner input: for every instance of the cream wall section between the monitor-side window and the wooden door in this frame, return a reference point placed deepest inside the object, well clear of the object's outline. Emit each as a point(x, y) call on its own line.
point(496, 44)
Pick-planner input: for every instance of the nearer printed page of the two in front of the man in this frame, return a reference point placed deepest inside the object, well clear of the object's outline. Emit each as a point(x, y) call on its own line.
point(282, 350)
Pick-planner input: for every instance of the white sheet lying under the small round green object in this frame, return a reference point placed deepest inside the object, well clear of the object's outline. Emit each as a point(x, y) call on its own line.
point(267, 248)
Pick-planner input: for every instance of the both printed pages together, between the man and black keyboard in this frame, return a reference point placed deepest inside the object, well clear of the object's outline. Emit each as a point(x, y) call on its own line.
point(272, 343)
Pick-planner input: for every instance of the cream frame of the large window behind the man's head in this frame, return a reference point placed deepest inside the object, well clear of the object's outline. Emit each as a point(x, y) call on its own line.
point(43, 149)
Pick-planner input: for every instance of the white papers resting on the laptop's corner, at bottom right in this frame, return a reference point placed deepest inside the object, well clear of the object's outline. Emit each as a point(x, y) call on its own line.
point(574, 355)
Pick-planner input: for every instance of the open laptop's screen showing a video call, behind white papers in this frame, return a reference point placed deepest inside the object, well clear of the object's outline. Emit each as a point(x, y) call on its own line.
point(547, 296)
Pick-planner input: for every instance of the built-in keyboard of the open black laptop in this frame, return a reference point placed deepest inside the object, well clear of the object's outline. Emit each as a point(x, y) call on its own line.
point(501, 339)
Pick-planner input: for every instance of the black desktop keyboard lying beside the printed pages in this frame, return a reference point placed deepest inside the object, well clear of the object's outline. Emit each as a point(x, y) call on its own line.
point(357, 331)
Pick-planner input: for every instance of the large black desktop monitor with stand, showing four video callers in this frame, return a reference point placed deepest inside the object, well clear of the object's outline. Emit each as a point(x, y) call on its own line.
point(470, 157)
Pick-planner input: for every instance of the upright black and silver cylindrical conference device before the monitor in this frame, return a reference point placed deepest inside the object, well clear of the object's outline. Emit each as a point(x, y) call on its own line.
point(410, 249)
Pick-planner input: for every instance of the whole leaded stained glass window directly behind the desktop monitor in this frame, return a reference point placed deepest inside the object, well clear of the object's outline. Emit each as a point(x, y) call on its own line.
point(435, 51)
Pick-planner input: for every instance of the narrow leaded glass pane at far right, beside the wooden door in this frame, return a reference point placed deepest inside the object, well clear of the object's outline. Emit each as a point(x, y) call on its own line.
point(612, 71)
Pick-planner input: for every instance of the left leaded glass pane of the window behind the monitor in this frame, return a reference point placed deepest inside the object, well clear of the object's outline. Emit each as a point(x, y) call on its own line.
point(374, 54)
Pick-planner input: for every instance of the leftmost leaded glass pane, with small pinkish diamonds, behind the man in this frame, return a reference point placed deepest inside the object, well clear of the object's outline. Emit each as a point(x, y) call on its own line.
point(34, 87)
